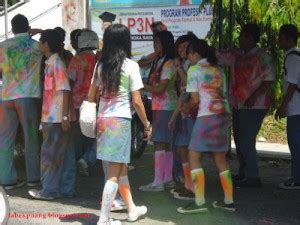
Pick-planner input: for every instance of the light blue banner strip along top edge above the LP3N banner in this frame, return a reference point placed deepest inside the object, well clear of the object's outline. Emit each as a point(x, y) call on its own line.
point(140, 3)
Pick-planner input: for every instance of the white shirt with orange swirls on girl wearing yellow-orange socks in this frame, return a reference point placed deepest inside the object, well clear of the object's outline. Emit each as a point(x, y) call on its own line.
point(209, 82)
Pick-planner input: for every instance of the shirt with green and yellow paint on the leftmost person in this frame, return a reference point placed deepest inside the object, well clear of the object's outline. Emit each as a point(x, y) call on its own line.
point(20, 60)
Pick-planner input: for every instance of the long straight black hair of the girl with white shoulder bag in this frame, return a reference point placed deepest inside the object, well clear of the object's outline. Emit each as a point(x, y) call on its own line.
point(116, 48)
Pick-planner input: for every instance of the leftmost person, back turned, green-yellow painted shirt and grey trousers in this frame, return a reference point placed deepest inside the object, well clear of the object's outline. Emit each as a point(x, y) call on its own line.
point(20, 60)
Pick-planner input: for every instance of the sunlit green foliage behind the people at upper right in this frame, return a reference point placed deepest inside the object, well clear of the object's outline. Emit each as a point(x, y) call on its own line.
point(270, 15)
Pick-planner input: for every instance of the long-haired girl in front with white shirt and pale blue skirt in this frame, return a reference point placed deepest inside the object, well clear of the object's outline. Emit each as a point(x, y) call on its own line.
point(119, 81)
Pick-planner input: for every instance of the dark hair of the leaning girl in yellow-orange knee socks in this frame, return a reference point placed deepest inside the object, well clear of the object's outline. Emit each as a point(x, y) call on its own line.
point(204, 50)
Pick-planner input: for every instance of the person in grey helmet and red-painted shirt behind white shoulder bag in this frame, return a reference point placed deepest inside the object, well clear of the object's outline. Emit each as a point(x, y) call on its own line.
point(80, 71)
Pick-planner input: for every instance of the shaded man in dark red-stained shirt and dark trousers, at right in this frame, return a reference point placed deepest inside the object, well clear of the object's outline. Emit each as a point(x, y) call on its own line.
point(252, 76)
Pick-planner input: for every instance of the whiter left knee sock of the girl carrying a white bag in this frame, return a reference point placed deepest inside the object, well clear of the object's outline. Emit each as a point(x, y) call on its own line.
point(109, 193)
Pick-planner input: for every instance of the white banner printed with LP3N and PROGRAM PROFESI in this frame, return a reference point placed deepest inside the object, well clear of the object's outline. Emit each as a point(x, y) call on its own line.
point(178, 19)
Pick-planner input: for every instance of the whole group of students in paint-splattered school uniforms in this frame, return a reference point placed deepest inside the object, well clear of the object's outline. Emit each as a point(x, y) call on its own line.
point(44, 86)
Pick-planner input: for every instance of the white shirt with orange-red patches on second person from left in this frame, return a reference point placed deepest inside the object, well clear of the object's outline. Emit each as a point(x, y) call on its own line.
point(56, 81)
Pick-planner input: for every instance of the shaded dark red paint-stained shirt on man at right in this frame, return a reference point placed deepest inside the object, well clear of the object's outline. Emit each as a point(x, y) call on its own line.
point(248, 72)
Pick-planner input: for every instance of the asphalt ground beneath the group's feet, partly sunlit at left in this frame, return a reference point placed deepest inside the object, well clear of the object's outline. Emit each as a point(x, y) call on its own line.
point(259, 206)
